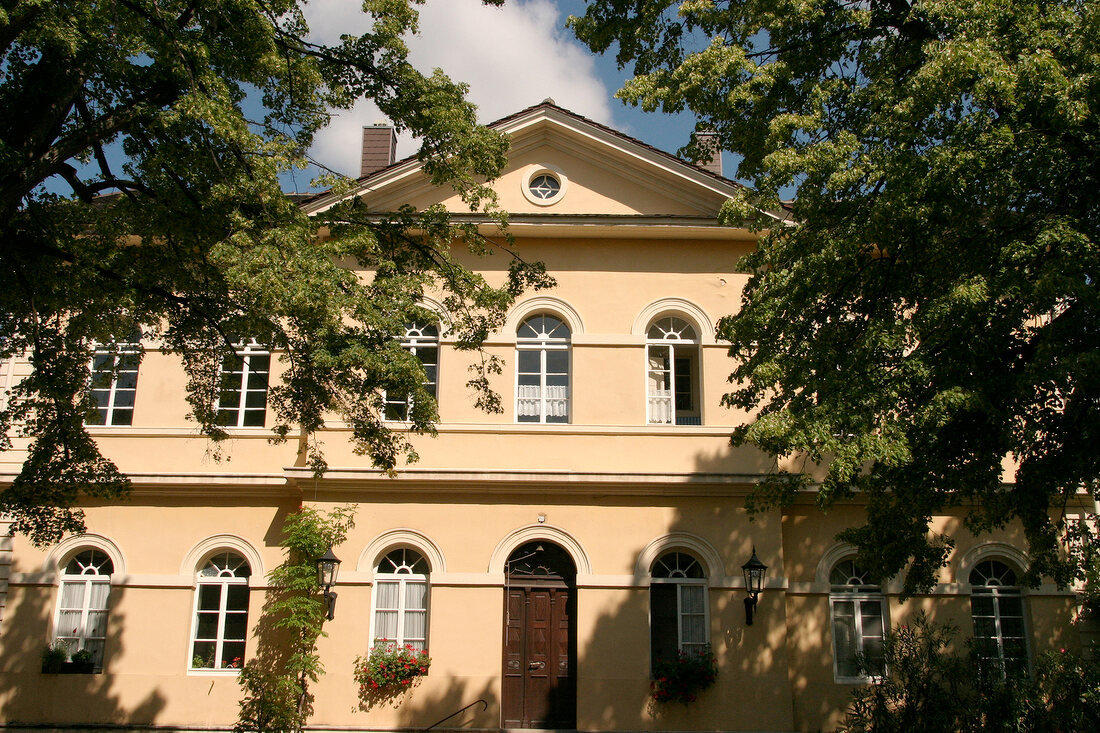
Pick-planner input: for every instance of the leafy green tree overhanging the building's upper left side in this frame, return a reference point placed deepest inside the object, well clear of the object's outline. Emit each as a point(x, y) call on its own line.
point(197, 246)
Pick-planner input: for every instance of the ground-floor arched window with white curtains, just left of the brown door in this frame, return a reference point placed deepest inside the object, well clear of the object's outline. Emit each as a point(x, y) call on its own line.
point(401, 599)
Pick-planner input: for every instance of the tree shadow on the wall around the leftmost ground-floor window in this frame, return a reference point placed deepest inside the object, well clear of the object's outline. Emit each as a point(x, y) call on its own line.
point(27, 695)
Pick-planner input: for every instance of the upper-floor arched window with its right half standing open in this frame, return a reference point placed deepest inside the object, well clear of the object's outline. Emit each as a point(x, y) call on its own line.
point(673, 373)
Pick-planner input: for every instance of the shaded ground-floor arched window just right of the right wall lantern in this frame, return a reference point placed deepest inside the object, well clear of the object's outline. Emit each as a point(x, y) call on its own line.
point(859, 622)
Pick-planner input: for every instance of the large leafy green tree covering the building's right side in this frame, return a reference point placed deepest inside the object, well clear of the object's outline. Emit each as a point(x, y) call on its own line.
point(933, 308)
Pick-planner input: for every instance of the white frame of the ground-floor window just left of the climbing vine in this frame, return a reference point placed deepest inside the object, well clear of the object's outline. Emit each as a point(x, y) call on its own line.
point(235, 571)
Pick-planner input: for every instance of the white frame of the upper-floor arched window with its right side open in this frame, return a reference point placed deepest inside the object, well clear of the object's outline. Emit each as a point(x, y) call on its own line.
point(662, 409)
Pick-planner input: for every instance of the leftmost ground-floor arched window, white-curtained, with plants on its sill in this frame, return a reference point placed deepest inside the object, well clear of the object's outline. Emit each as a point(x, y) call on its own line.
point(82, 609)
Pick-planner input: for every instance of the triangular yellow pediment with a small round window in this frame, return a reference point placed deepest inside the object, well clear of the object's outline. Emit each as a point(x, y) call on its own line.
point(600, 173)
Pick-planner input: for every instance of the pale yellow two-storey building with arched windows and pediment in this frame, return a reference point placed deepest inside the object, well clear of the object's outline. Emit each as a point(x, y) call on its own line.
point(546, 556)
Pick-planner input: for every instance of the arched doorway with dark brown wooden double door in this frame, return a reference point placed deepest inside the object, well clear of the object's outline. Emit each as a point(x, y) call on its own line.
point(540, 679)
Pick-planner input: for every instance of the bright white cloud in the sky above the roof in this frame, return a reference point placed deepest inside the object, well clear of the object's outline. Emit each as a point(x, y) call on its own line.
point(512, 58)
